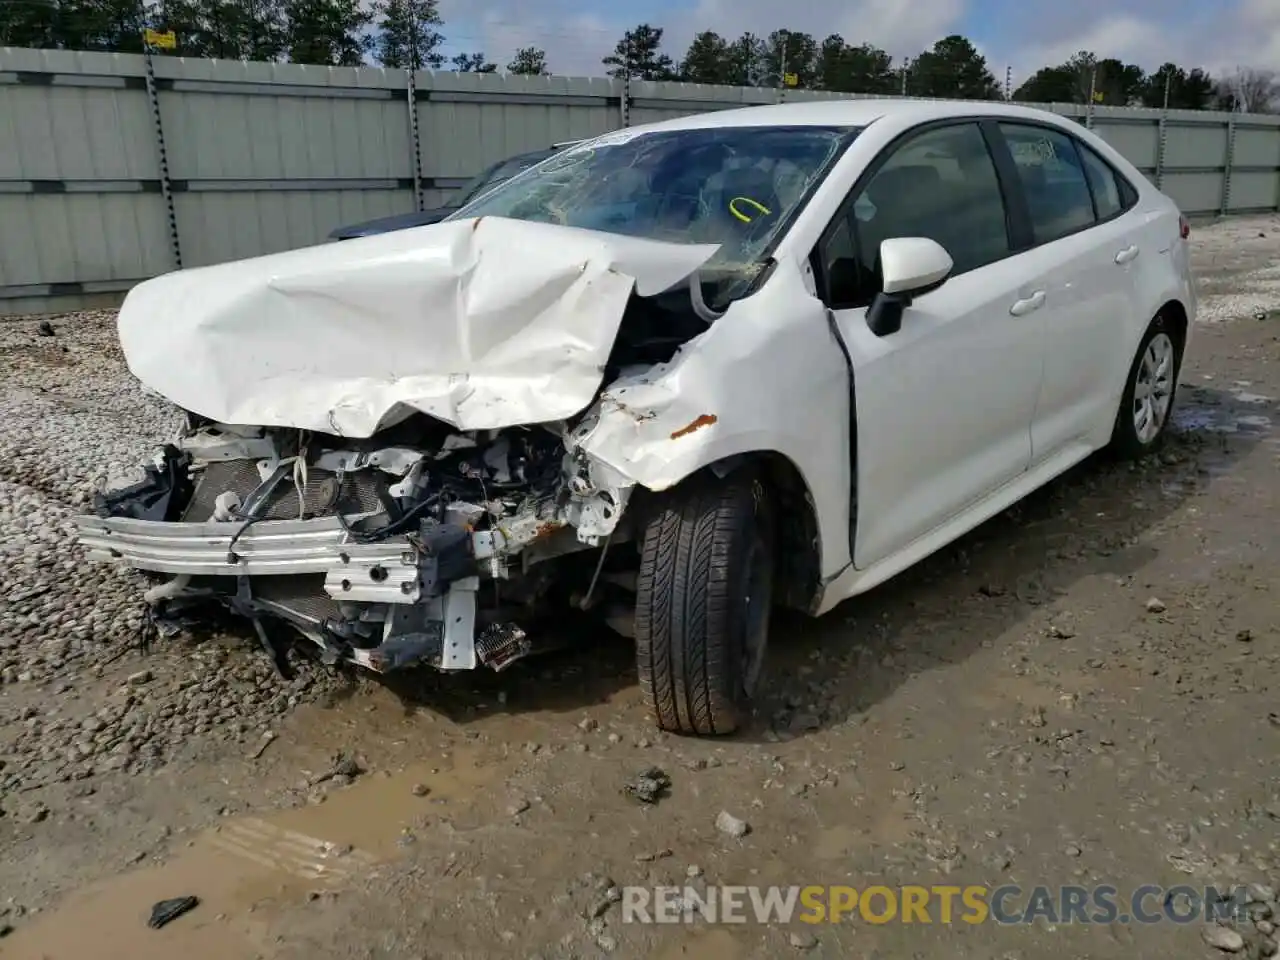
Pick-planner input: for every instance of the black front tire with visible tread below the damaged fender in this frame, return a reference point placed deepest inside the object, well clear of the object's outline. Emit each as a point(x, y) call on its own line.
point(703, 604)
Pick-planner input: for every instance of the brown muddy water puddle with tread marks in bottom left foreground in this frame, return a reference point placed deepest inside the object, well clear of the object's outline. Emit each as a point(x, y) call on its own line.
point(246, 870)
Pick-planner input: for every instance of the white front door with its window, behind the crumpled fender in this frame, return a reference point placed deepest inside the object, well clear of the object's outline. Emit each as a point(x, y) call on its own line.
point(944, 405)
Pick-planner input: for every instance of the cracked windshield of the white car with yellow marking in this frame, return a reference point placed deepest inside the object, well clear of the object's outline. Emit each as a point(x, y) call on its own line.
point(734, 186)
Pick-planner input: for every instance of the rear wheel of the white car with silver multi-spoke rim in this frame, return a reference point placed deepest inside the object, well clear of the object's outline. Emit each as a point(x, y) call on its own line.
point(1158, 362)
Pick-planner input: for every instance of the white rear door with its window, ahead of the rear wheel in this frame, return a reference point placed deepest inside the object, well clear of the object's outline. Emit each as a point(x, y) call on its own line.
point(1086, 252)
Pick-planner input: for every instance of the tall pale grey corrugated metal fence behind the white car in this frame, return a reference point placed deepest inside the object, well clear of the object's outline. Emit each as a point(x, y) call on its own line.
point(111, 175)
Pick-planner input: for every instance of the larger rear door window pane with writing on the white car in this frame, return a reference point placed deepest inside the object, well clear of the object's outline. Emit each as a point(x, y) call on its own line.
point(1054, 181)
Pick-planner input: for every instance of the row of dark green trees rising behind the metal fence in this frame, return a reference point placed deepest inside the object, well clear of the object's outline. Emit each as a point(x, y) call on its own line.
point(409, 34)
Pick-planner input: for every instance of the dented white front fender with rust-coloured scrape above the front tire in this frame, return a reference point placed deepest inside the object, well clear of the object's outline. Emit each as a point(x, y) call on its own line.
point(764, 378)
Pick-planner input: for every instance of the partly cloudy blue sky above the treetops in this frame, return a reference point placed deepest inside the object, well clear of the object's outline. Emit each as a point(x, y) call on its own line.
point(1020, 34)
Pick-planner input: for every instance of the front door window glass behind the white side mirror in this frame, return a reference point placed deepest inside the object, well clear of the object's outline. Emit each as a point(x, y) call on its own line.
point(940, 185)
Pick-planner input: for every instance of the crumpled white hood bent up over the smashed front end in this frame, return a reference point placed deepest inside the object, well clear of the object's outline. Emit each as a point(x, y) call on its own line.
point(483, 324)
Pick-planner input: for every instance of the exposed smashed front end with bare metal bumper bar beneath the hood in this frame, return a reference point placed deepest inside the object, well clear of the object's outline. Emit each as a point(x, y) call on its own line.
point(419, 546)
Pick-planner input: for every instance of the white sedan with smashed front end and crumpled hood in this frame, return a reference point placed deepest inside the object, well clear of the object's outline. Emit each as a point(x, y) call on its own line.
point(680, 373)
